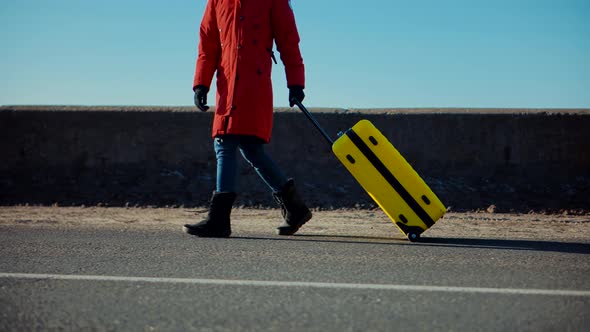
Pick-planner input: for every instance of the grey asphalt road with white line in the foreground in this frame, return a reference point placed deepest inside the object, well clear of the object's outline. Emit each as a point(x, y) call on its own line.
point(144, 279)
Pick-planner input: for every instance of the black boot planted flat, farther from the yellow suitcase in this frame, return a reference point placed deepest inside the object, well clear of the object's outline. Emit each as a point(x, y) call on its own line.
point(217, 223)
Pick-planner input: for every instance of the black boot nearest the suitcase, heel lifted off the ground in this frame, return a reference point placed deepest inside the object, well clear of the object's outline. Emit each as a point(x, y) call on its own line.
point(294, 211)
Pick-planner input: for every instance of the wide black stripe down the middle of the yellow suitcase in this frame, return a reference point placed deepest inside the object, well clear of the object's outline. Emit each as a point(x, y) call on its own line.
point(393, 181)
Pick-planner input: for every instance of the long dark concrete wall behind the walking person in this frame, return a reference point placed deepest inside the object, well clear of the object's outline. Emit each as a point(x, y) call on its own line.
point(516, 160)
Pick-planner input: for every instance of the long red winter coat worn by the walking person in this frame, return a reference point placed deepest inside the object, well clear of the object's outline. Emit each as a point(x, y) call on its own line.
point(236, 40)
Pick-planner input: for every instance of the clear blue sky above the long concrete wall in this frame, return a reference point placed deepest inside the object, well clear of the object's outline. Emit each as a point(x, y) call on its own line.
point(379, 53)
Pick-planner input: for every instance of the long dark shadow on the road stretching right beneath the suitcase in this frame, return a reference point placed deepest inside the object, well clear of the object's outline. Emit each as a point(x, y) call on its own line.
point(531, 245)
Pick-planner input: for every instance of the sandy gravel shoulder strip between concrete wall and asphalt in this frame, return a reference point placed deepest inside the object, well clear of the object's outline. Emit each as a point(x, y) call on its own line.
point(365, 224)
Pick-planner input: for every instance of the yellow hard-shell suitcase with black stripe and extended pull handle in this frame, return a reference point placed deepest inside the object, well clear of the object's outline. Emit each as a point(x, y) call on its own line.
point(386, 176)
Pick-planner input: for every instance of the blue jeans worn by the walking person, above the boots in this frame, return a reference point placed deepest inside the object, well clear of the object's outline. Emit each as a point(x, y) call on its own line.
point(252, 150)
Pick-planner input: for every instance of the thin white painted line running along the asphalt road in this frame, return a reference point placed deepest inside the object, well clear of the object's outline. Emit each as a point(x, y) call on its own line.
point(263, 283)
